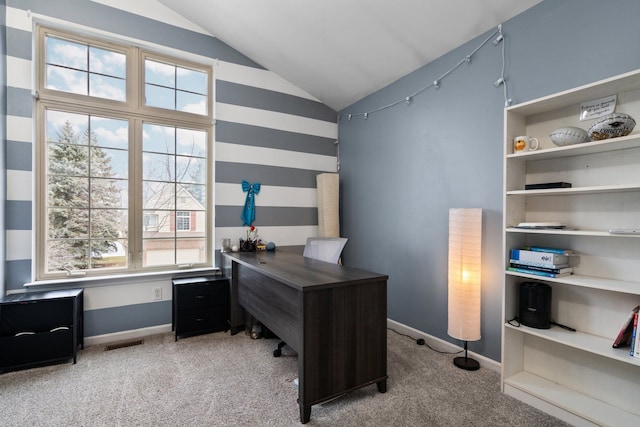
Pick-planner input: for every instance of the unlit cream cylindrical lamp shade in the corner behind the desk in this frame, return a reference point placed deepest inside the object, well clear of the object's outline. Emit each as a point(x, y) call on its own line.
point(328, 186)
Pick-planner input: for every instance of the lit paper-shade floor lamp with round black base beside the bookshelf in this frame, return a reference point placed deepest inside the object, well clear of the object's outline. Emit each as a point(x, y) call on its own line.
point(465, 261)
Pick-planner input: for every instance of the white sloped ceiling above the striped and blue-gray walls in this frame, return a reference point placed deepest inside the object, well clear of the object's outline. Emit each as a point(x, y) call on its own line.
point(340, 51)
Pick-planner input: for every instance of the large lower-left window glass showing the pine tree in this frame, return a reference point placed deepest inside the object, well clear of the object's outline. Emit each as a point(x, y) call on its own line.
point(81, 174)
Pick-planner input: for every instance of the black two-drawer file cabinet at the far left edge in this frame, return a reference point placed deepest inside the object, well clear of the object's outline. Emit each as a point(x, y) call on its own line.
point(40, 328)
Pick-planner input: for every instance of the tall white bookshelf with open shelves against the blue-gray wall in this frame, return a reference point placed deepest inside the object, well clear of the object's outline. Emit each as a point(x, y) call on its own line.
point(576, 376)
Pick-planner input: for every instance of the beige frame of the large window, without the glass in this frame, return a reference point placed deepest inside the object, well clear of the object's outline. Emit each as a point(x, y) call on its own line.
point(133, 110)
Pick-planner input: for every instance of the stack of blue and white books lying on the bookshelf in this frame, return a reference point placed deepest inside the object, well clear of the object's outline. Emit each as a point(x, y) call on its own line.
point(541, 261)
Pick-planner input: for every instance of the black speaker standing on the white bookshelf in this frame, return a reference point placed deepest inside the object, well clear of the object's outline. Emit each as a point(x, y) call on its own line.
point(535, 305)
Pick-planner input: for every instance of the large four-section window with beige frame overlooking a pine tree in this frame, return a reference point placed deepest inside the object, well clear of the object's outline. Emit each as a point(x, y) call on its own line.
point(124, 156)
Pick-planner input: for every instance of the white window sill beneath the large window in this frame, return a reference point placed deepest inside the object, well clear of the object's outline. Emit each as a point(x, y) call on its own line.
point(75, 282)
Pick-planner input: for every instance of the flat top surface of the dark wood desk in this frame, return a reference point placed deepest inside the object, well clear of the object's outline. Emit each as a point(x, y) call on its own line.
point(303, 273)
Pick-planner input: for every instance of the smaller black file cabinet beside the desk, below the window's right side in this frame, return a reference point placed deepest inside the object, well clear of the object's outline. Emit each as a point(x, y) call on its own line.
point(200, 305)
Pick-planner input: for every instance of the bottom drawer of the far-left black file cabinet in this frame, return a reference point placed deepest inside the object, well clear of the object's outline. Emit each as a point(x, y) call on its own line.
point(35, 348)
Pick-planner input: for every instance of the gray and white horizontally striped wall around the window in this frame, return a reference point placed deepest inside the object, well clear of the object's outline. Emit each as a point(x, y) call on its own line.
point(266, 131)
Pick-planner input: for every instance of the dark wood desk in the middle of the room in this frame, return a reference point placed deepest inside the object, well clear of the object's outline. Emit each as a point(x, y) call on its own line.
point(334, 317)
